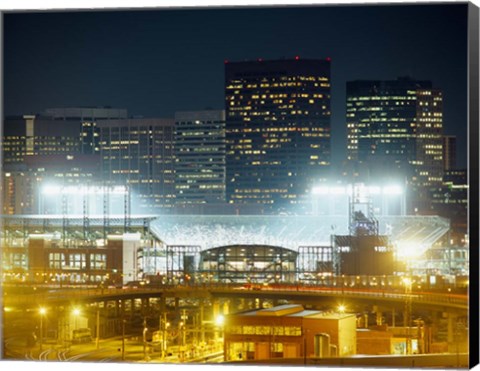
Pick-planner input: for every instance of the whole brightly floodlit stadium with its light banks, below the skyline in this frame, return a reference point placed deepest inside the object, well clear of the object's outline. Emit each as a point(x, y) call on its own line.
point(354, 234)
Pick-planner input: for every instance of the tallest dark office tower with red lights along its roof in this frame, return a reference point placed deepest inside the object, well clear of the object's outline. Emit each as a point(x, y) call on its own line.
point(277, 130)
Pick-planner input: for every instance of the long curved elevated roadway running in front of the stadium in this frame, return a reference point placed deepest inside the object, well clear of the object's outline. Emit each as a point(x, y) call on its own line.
point(442, 301)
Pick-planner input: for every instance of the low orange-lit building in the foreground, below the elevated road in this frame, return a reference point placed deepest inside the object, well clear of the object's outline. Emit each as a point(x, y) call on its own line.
point(288, 331)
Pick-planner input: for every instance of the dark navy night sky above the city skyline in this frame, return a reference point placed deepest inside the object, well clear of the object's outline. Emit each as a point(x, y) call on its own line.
point(156, 62)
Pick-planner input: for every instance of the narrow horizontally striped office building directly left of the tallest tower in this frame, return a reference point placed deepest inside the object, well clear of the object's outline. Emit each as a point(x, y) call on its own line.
point(200, 157)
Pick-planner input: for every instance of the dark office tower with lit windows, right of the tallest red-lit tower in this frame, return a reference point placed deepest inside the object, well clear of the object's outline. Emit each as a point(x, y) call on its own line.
point(395, 129)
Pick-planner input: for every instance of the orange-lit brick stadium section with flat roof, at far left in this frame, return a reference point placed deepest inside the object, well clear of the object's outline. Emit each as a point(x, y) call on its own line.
point(73, 250)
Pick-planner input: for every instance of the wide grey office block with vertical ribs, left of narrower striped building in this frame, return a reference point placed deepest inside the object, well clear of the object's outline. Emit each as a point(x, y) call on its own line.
point(138, 153)
